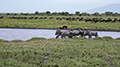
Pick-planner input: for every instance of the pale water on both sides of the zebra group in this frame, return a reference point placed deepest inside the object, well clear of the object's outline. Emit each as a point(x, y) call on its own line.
point(26, 34)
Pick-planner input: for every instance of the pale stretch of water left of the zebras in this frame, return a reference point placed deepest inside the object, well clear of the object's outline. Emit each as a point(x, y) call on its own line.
point(25, 34)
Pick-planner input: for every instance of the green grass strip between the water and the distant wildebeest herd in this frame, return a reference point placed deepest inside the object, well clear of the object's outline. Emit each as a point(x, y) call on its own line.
point(53, 23)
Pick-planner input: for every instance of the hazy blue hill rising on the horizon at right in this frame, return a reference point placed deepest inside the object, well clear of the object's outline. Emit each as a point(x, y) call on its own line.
point(110, 7)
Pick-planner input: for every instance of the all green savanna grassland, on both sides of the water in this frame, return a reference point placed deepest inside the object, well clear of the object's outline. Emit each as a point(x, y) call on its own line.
point(74, 52)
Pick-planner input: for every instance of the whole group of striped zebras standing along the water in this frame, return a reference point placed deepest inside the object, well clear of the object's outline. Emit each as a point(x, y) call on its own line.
point(72, 33)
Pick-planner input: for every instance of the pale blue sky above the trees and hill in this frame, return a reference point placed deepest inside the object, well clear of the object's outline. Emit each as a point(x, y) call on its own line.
point(71, 6)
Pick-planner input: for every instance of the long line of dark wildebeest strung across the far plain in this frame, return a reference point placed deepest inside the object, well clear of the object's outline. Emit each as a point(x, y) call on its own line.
point(69, 19)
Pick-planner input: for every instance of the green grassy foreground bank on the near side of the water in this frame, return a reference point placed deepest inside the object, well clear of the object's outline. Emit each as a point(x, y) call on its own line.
point(78, 52)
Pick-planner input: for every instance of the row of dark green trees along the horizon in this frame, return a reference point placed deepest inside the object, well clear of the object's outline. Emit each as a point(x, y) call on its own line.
point(77, 13)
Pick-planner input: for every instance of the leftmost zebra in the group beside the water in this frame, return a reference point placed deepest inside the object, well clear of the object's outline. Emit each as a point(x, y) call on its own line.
point(63, 34)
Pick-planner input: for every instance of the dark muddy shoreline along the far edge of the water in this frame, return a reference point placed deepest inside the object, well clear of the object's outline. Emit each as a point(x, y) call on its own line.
point(62, 29)
